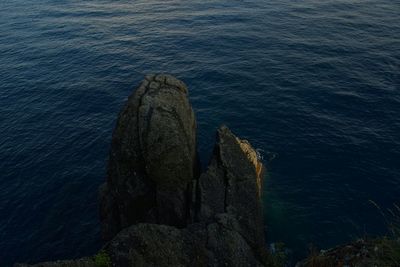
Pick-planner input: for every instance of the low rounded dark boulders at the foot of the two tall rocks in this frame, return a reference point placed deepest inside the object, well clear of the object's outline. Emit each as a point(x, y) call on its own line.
point(215, 244)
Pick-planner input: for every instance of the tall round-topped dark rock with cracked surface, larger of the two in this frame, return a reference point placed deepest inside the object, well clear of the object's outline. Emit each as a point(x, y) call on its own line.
point(152, 160)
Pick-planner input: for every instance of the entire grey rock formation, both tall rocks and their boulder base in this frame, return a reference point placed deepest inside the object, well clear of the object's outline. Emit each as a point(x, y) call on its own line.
point(155, 208)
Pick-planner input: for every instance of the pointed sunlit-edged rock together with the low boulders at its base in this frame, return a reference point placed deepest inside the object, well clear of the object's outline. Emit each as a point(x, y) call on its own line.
point(228, 230)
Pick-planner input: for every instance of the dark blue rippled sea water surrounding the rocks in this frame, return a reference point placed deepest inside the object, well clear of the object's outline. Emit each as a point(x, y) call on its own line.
point(314, 85)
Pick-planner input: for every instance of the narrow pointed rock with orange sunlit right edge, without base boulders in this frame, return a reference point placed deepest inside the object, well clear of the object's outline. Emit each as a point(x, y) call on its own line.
point(232, 184)
